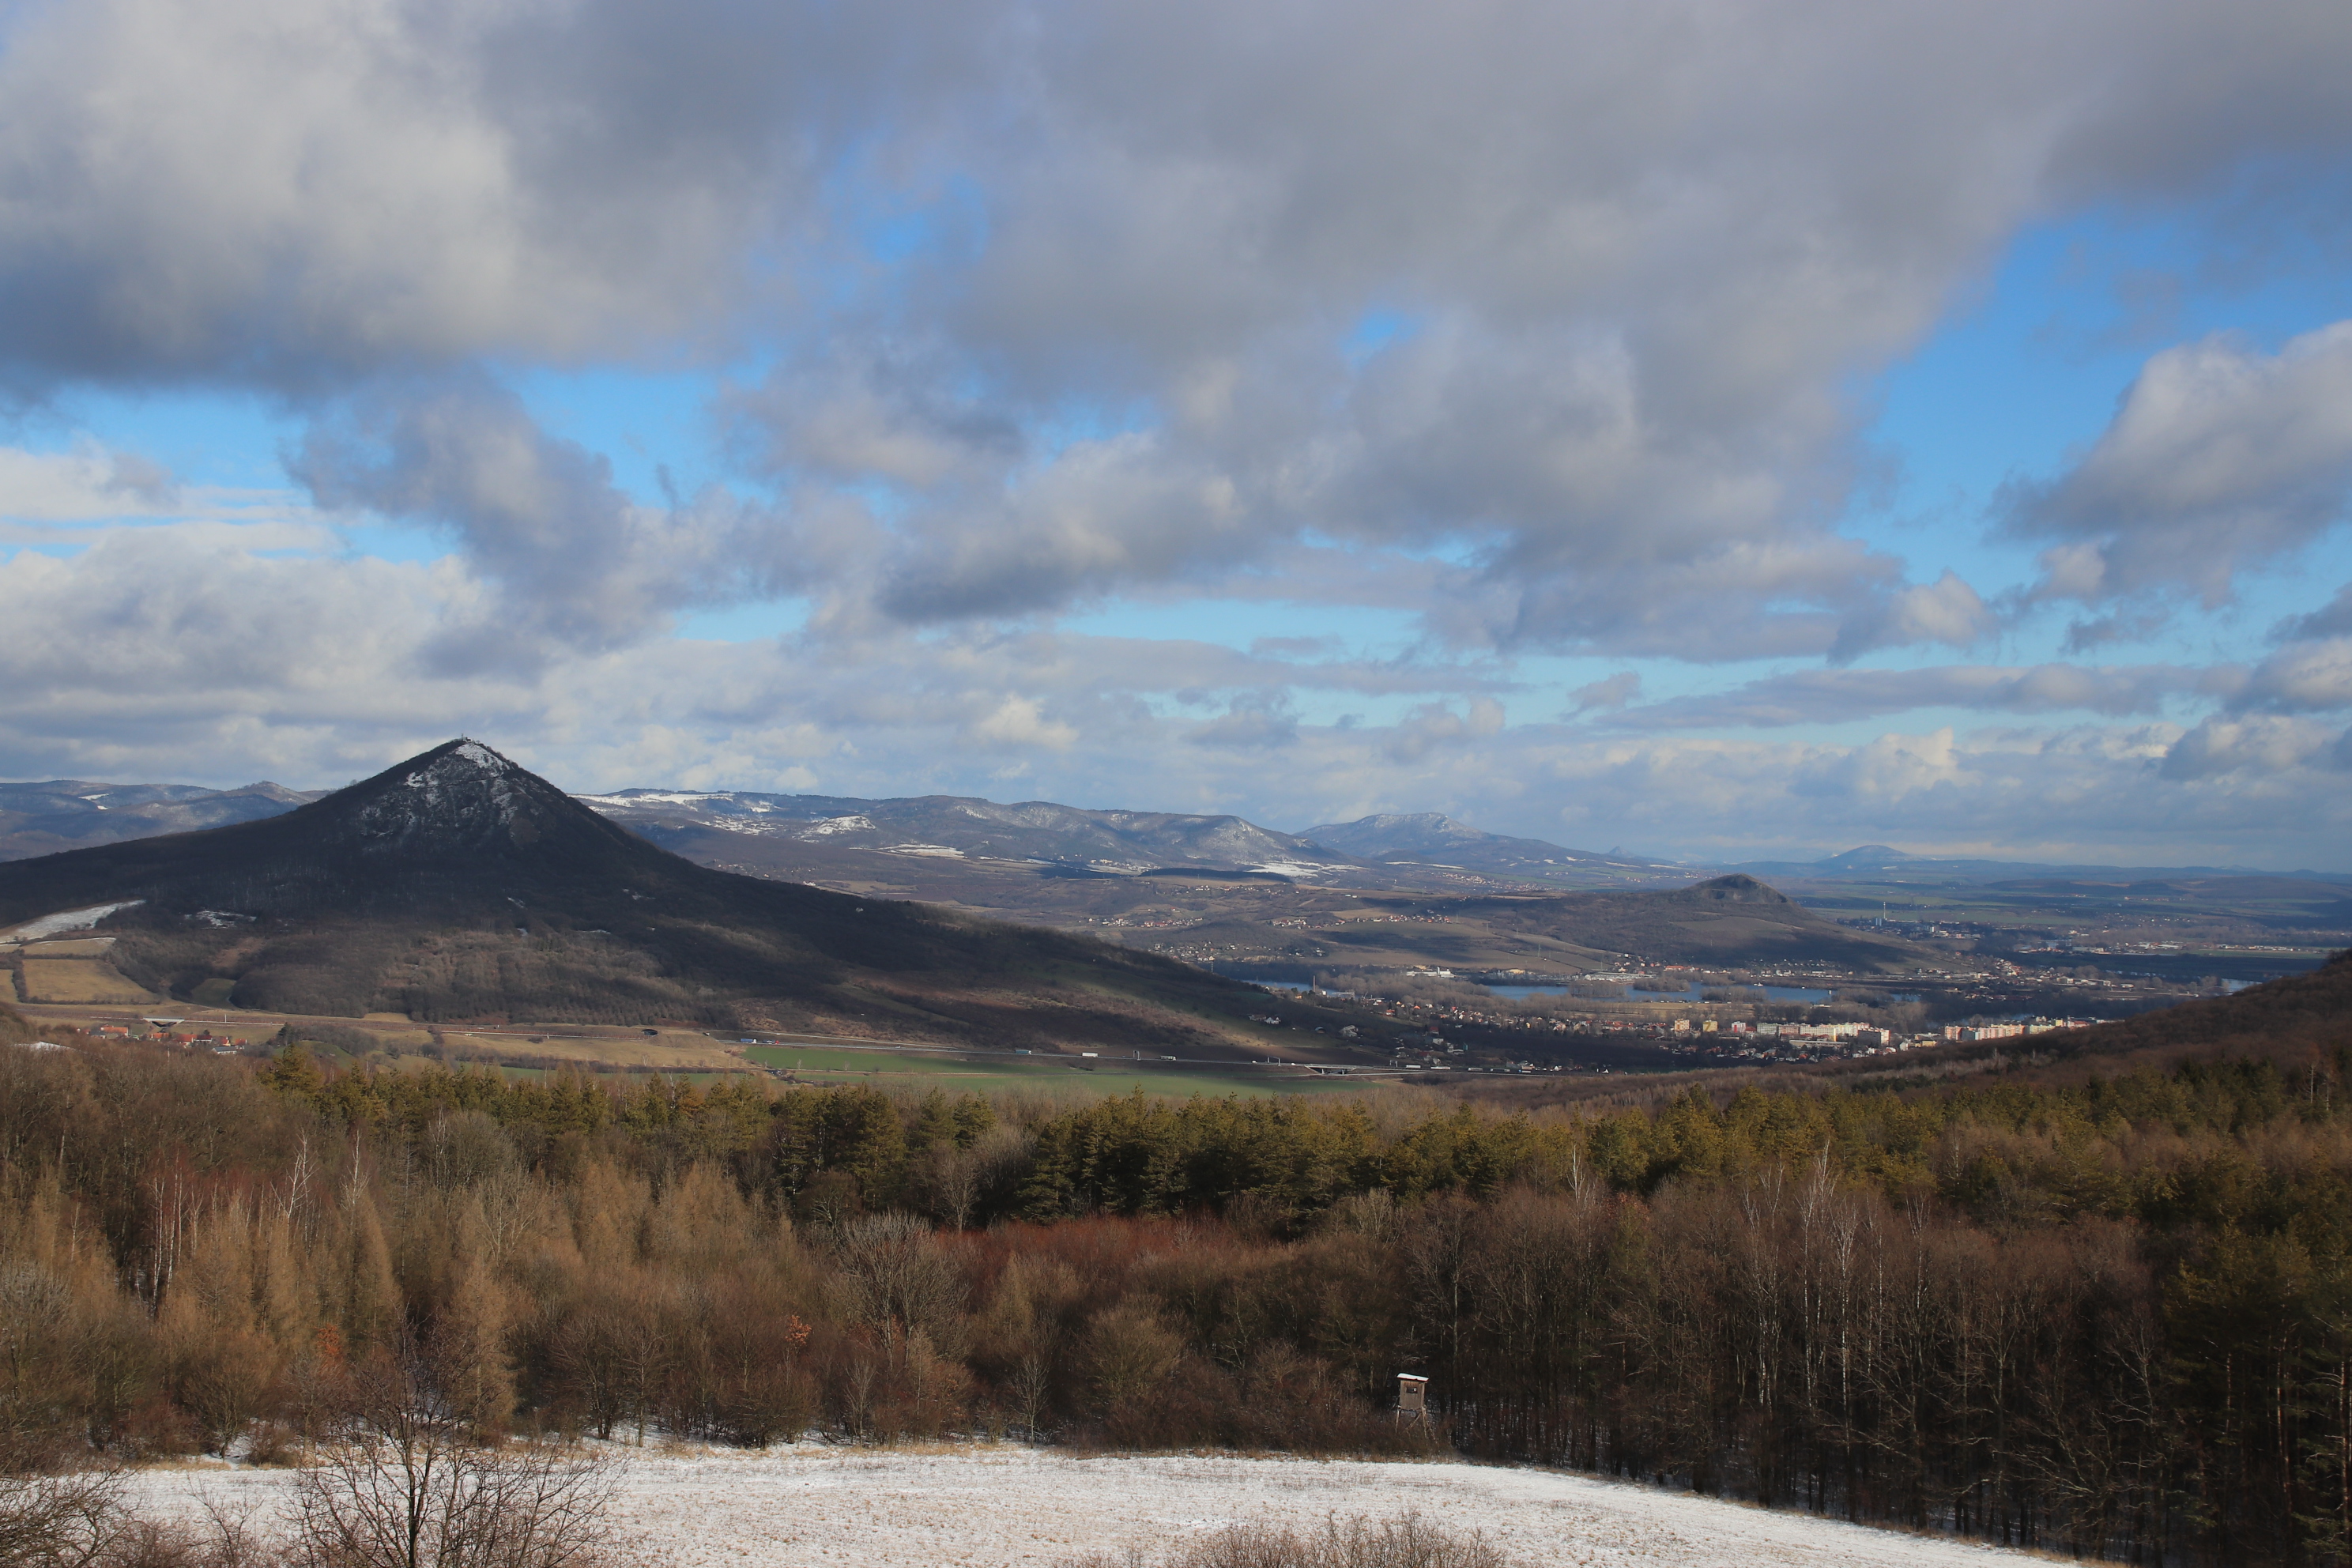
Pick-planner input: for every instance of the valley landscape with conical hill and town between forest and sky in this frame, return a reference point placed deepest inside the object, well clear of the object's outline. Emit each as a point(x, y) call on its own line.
point(460, 909)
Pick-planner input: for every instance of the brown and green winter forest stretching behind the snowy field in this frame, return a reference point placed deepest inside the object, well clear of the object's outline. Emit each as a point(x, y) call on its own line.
point(2106, 1315)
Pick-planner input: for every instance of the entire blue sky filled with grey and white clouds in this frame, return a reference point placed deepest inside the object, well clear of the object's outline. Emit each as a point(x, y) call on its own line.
point(1709, 431)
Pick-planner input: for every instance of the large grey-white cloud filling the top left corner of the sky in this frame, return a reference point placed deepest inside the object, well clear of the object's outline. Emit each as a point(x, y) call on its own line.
point(295, 192)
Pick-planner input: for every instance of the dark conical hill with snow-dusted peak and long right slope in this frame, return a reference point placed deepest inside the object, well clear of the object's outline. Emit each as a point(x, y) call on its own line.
point(462, 887)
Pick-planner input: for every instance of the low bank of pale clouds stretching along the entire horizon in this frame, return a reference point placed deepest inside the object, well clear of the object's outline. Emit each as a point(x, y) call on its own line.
point(225, 666)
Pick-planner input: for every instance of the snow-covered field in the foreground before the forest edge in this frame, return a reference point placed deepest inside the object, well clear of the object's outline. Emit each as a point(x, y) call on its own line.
point(991, 1506)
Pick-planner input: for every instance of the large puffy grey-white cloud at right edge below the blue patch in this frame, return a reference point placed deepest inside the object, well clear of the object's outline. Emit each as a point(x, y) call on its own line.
point(2219, 460)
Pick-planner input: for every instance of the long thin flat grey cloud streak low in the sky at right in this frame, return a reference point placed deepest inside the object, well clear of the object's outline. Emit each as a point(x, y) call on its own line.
point(1838, 697)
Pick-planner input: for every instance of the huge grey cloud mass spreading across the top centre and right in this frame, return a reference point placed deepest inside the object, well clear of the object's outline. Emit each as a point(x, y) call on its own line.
point(1593, 398)
